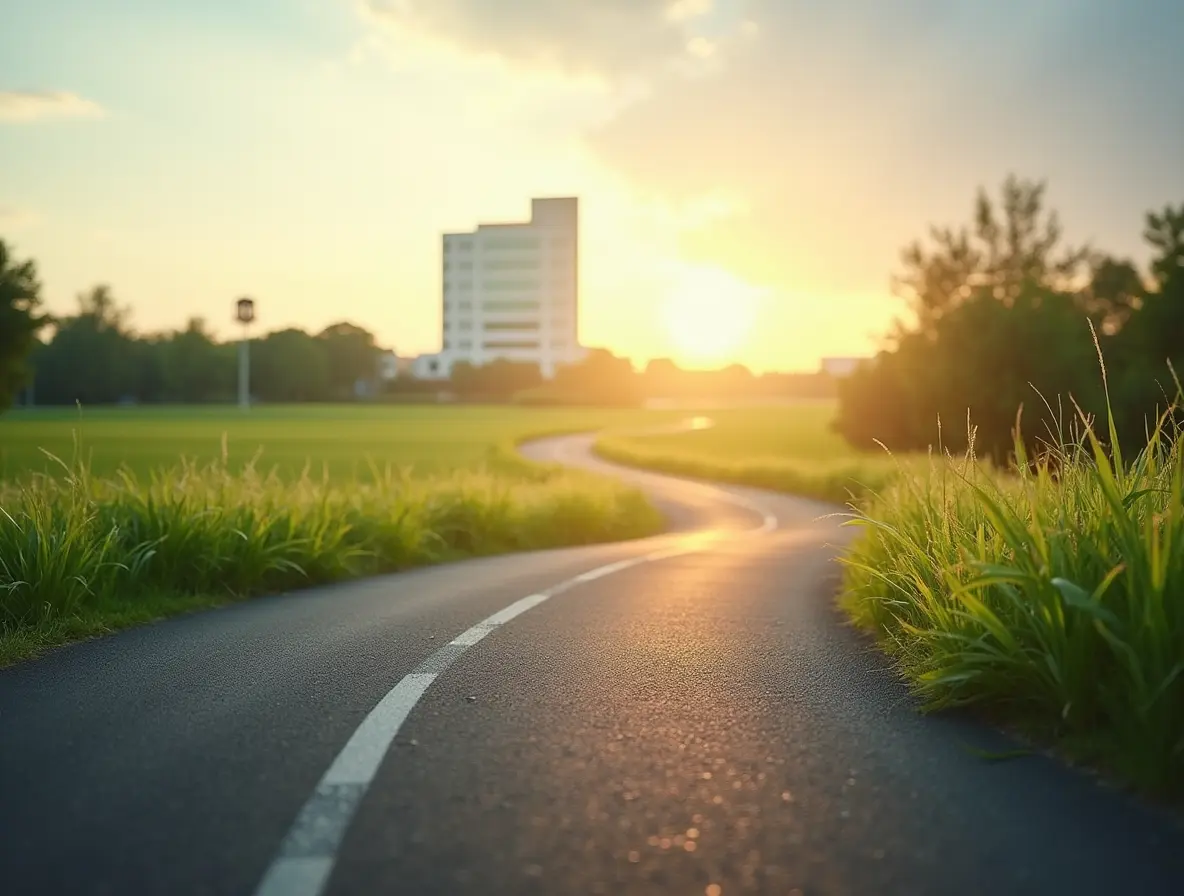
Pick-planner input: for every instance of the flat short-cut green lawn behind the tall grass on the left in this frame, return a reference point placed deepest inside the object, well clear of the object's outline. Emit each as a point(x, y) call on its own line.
point(342, 439)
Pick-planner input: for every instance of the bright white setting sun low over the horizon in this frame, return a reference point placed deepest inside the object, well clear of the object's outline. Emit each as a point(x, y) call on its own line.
point(709, 315)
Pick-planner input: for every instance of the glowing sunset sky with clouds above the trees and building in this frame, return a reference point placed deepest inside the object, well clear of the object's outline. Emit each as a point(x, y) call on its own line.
point(748, 170)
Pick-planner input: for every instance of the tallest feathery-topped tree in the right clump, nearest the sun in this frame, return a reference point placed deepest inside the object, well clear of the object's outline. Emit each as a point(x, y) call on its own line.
point(1003, 317)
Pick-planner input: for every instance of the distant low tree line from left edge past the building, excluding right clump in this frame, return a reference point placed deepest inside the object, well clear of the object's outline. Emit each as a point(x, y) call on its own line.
point(96, 357)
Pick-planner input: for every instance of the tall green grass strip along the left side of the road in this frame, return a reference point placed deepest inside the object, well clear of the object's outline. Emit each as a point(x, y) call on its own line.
point(81, 555)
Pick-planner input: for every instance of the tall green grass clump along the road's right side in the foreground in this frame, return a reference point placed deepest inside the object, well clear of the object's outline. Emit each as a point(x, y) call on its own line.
point(1054, 597)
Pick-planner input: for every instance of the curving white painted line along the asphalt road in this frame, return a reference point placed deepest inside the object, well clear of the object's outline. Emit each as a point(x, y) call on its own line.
point(307, 856)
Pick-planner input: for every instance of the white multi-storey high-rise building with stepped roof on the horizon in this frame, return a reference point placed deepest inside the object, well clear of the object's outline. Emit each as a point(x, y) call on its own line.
point(512, 292)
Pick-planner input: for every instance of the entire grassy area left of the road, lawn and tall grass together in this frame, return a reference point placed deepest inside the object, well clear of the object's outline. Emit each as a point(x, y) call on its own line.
point(144, 513)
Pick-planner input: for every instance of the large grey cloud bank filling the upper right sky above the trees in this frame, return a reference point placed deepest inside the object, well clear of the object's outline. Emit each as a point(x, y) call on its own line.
point(847, 130)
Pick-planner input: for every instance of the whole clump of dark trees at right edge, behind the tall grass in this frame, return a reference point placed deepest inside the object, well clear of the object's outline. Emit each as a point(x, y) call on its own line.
point(1003, 325)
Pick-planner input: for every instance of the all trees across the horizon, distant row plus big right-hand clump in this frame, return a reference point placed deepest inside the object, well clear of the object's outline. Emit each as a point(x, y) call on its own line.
point(1007, 324)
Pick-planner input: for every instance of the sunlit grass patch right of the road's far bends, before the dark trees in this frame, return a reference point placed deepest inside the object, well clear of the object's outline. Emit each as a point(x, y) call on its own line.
point(782, 448)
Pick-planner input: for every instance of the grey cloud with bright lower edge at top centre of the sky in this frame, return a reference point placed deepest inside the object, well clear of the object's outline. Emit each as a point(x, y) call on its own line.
point(614, 40)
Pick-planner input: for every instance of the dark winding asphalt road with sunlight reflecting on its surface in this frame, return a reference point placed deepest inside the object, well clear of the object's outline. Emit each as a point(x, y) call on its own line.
point(696, 723)
